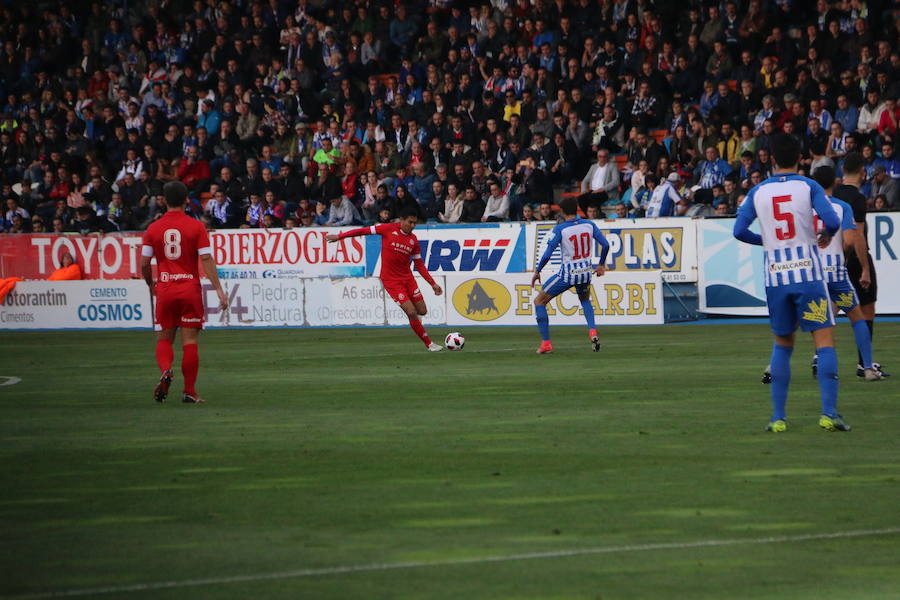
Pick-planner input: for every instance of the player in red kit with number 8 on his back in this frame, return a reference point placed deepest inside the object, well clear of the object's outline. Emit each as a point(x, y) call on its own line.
point(179, 244)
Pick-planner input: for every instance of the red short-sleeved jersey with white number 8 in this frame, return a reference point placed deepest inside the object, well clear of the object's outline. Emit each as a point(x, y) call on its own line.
point(177, 241)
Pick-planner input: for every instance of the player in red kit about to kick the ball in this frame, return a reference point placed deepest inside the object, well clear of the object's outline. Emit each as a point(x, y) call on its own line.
point(398, 247)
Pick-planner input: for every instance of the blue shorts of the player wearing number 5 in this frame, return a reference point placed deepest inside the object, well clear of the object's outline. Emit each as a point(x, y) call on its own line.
point(806, 305)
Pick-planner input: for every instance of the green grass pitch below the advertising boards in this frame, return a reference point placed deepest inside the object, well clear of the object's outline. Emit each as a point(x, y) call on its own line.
point(323, 452)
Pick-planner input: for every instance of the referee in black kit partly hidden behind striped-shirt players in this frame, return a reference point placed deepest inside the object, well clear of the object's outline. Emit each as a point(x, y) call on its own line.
point(860, 268)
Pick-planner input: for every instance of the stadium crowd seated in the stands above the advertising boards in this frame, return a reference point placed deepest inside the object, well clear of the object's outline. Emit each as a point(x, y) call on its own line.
point(305, 113)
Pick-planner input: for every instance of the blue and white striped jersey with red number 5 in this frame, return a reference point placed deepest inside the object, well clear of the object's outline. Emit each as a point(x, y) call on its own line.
point(784, 205)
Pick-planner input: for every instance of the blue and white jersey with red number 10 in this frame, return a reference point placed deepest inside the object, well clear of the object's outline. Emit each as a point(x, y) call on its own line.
point(575, 239)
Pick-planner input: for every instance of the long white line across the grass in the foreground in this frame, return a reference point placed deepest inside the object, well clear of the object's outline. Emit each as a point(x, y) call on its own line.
point(368, 568)
